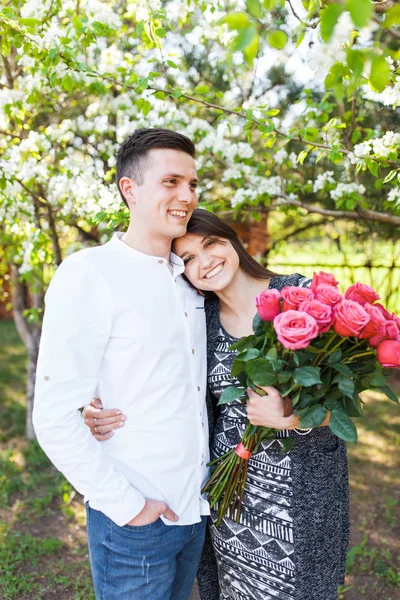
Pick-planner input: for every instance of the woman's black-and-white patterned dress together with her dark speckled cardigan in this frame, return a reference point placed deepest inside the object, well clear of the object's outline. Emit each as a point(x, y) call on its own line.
point(292, 538)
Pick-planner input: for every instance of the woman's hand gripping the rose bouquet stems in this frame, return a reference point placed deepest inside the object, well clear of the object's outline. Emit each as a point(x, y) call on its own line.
point(271, 410)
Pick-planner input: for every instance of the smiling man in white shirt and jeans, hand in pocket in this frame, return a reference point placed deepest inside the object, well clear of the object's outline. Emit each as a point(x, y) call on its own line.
point(122, 323)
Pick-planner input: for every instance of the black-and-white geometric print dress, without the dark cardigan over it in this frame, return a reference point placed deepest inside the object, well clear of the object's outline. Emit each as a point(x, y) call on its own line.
point(254, 556)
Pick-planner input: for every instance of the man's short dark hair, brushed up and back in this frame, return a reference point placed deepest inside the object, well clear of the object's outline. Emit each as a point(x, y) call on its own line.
point(132, 156)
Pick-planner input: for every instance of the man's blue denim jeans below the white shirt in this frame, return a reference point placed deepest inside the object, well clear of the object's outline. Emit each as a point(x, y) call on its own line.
point(153, 562)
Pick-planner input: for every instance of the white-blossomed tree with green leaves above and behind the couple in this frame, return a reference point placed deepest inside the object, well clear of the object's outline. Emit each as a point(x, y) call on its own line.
point(292, 108)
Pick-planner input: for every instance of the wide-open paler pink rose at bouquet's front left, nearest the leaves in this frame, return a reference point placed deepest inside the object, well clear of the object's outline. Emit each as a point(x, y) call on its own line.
point(295, 329)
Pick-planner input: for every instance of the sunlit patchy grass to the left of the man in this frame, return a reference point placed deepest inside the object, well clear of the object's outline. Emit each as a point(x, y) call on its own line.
point(43, 551)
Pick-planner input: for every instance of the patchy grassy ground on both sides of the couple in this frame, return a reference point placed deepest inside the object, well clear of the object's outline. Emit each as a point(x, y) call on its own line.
point(43, 552)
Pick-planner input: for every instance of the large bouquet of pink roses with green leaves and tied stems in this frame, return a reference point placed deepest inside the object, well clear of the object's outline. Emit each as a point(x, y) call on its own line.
point(317, 347)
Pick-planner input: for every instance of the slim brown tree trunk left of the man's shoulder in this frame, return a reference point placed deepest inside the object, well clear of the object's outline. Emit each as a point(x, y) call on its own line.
point(30, 335)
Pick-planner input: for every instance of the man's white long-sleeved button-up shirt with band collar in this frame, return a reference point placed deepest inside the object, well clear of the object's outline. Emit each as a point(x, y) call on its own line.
point(119, 325)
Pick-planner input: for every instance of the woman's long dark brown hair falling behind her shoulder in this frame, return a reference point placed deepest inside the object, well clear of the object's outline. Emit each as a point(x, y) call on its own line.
point(207, 224)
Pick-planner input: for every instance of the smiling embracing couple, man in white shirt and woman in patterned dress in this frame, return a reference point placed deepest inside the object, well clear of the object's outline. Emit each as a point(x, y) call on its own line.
point(124, 324)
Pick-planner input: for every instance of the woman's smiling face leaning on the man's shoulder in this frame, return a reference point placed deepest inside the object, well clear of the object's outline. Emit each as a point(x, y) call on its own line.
point(211, 263)
